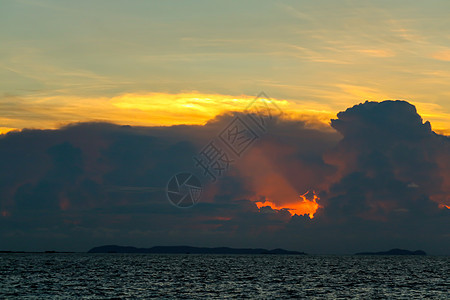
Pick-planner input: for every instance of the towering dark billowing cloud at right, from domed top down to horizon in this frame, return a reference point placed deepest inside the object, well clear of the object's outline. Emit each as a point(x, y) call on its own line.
point(391, 178)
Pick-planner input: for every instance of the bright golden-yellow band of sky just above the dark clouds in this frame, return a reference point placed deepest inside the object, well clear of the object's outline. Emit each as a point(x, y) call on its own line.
point(162, 109)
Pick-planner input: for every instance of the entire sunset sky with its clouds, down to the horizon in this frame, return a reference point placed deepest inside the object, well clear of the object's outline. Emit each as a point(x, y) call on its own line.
point(102, 102)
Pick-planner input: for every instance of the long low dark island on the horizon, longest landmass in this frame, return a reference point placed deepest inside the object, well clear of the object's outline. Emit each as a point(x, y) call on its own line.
point(190, 250)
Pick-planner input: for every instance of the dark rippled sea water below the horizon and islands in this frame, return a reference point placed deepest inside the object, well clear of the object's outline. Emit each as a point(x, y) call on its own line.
point(143, 276)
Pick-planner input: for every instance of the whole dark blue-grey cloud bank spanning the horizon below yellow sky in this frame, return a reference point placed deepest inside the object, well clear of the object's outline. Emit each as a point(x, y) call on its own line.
point(380, 177)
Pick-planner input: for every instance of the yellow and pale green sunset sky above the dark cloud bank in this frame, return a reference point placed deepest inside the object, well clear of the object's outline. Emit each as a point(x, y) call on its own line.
point(126, 61)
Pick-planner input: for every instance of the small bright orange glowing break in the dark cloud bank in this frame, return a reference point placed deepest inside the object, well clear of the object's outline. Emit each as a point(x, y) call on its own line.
point(302, 207)
